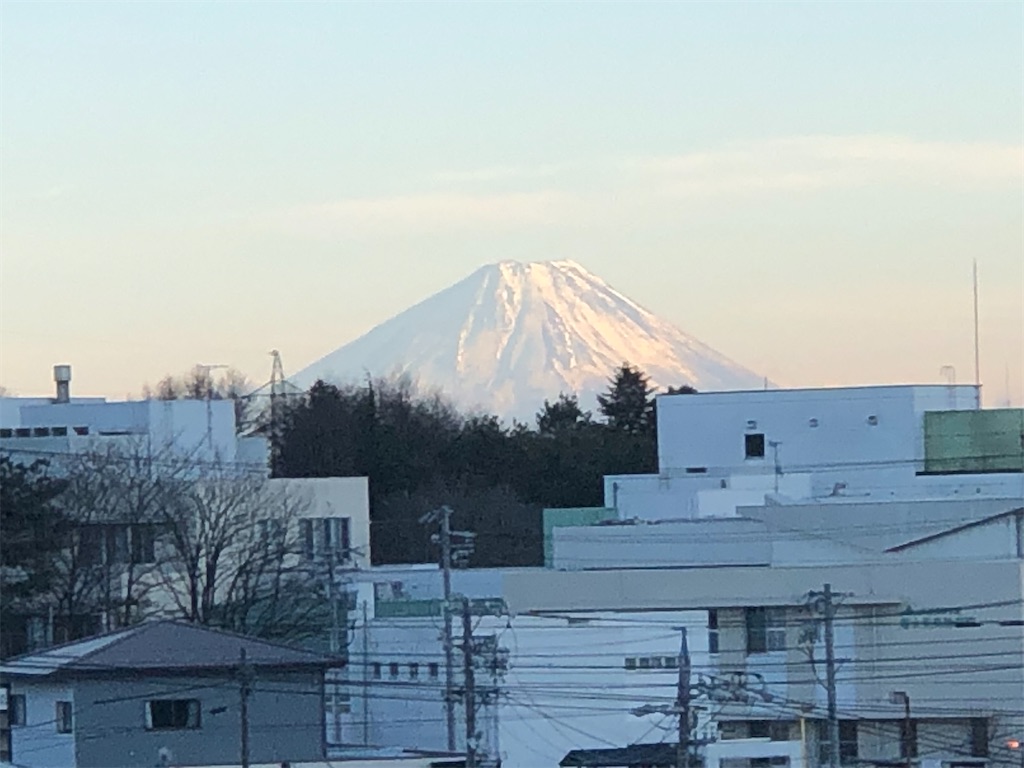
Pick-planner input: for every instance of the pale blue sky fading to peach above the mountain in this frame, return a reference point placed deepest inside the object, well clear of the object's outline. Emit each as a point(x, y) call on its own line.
point(801, 186)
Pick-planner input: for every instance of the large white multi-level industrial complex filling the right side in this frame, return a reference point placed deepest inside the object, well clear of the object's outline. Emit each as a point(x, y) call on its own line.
point(907, 501)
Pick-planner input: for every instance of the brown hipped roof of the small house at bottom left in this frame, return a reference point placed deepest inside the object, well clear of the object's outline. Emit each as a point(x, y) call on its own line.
point(159, 647)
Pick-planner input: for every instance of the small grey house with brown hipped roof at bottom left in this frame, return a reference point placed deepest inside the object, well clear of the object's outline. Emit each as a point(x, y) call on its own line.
point(165, 694)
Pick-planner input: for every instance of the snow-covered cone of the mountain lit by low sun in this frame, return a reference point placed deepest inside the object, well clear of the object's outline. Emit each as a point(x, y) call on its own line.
point(513, 334)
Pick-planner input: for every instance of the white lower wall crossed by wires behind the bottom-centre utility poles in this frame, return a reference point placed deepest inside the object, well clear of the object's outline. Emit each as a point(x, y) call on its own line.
point(567, 687)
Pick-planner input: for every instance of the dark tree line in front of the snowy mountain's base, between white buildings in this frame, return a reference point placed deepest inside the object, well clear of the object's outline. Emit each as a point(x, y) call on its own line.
point(419, 452)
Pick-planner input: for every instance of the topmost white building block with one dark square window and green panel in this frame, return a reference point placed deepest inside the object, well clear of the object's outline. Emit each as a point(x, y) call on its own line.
point(719, 451)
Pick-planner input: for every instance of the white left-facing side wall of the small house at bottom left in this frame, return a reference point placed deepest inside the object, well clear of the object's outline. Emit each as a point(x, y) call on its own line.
point(37, 744)
